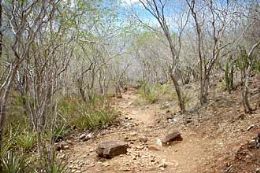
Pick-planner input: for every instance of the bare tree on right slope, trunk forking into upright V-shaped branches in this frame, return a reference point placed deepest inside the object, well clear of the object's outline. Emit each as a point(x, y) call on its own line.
point(216, 24)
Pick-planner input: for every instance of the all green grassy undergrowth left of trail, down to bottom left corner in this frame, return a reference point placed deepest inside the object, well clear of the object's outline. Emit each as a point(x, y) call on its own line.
point(16, 155)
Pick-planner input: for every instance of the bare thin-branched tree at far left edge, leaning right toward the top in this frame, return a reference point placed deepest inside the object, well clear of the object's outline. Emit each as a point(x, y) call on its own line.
point(24, 27)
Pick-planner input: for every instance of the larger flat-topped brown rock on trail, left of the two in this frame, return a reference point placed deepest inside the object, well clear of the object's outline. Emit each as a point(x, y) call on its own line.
point(110, 149)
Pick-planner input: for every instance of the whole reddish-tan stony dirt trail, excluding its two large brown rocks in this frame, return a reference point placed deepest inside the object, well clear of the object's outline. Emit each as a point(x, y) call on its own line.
point(138, 122)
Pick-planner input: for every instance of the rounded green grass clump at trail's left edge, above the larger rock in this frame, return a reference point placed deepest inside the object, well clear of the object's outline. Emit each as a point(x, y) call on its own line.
point(92, 115)
